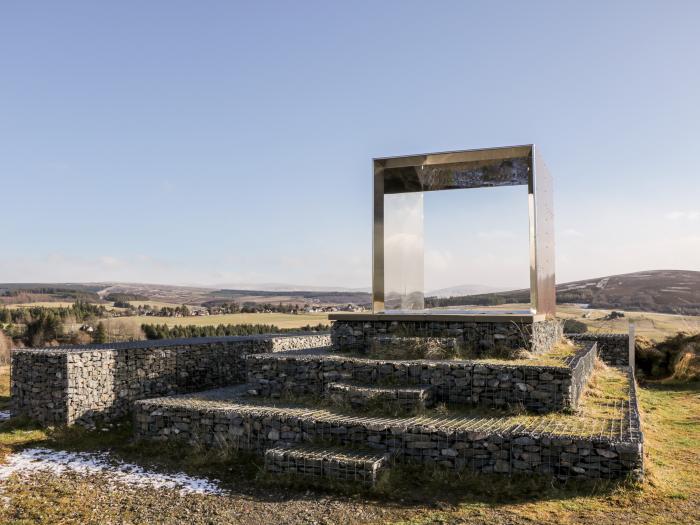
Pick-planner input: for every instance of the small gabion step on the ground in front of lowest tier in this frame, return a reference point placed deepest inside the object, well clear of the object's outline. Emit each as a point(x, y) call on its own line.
point(325, 462)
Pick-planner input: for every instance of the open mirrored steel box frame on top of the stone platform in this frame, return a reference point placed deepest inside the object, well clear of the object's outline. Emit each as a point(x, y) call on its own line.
point(398, 245)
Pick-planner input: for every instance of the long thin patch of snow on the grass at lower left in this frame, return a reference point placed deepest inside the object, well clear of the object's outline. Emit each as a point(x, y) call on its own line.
point(60, 461)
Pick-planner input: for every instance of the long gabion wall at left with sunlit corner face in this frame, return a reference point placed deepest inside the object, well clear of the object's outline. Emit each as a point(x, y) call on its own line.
point(62, 386)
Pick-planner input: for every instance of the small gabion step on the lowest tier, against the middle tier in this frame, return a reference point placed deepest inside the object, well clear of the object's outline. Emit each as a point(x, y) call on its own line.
point(403, 398)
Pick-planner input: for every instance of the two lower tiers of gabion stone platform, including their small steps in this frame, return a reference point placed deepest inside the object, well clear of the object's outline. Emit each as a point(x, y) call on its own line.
point(343, 418)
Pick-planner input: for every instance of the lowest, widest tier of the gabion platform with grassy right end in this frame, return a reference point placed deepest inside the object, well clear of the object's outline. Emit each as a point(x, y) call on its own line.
point(602, 440)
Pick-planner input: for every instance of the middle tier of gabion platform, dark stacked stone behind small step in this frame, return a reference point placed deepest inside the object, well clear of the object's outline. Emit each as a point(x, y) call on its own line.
point(536, 388)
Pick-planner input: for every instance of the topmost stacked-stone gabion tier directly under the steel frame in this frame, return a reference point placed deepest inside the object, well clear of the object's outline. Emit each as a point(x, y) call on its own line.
point(482, 339)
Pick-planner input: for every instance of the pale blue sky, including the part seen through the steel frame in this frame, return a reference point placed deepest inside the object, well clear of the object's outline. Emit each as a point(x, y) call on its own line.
point(228, 142)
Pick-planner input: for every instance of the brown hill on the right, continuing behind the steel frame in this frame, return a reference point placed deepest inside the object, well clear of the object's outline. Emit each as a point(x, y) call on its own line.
point(668, 291)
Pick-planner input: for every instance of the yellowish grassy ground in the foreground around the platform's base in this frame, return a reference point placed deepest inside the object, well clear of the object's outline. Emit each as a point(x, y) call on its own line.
point(670, 493)
